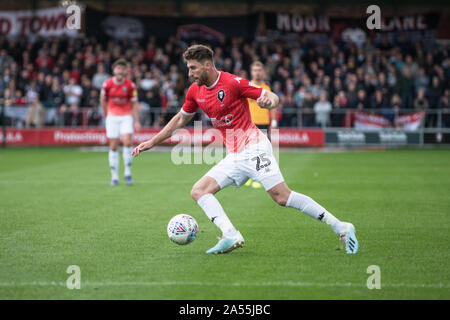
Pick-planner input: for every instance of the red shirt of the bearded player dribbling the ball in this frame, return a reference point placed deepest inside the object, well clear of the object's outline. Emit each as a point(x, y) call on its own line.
point(225, 103)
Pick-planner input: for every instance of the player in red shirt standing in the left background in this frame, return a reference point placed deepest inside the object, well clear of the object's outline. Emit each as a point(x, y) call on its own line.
point(119, 101)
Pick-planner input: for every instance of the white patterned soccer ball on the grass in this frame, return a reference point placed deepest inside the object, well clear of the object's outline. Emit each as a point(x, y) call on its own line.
point(182, 229)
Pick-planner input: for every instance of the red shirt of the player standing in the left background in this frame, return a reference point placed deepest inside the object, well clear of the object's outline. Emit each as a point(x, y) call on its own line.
point(119, 96)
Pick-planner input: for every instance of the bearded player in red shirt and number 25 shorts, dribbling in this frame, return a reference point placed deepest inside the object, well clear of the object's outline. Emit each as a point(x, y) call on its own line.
point(223, 97)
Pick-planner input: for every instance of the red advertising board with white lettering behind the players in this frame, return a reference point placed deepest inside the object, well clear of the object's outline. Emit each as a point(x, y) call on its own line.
point(66, 136)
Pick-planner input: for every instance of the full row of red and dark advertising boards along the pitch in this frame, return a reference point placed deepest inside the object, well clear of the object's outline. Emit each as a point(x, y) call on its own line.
point(286, 137)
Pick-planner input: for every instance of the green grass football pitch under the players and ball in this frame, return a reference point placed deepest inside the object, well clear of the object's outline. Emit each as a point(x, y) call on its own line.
point(57, 209)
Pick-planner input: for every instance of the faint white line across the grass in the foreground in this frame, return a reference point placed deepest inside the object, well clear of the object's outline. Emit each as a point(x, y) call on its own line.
point(231, 284)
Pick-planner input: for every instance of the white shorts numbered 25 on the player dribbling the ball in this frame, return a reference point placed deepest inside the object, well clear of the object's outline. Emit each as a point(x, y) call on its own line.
point(255, 161)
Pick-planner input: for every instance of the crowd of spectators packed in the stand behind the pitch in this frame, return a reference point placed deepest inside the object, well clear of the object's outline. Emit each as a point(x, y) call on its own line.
point(59, 79)
